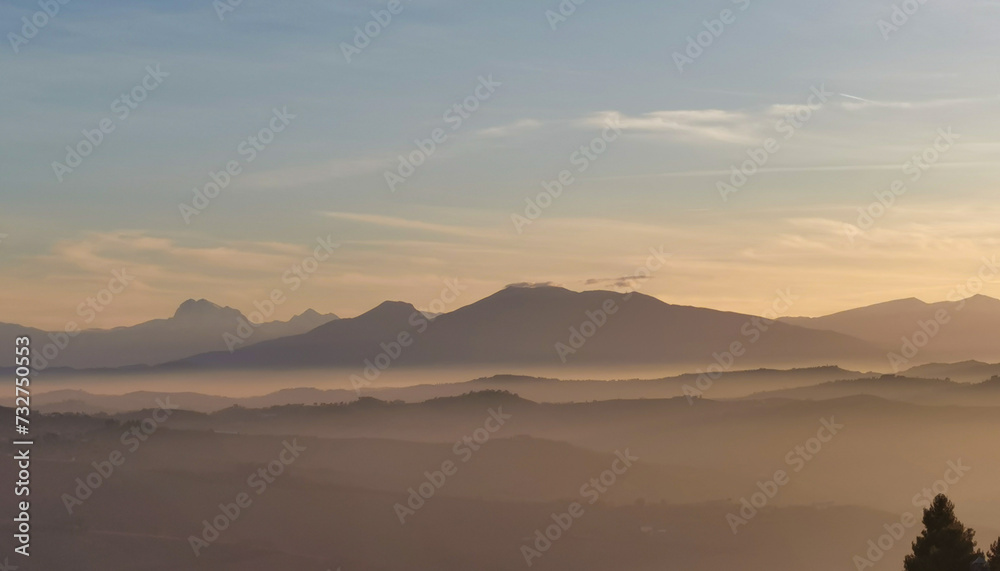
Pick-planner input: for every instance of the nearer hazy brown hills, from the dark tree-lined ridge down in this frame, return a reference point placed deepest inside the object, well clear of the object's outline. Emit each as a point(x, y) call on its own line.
point(334, 505)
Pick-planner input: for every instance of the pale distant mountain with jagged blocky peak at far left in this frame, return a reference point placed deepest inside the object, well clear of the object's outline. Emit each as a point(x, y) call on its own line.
point(196, 327)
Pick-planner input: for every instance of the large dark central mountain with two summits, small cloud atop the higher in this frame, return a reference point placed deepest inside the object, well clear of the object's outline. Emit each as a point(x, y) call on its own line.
point(549, 326)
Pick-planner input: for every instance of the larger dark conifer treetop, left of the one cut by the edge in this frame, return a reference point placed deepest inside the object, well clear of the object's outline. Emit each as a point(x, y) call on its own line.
point(945, 544)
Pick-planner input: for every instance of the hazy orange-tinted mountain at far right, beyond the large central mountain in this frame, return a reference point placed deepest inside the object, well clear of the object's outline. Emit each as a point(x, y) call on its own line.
point(968, 329)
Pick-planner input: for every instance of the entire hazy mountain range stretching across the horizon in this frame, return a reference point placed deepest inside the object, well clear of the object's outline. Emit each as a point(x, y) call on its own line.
point(544, 325)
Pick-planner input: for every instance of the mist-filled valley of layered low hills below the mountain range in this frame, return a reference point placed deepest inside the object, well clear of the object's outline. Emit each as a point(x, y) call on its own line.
point(760, 469)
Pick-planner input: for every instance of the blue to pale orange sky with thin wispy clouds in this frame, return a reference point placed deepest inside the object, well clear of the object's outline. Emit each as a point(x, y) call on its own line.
point(829, 101)
